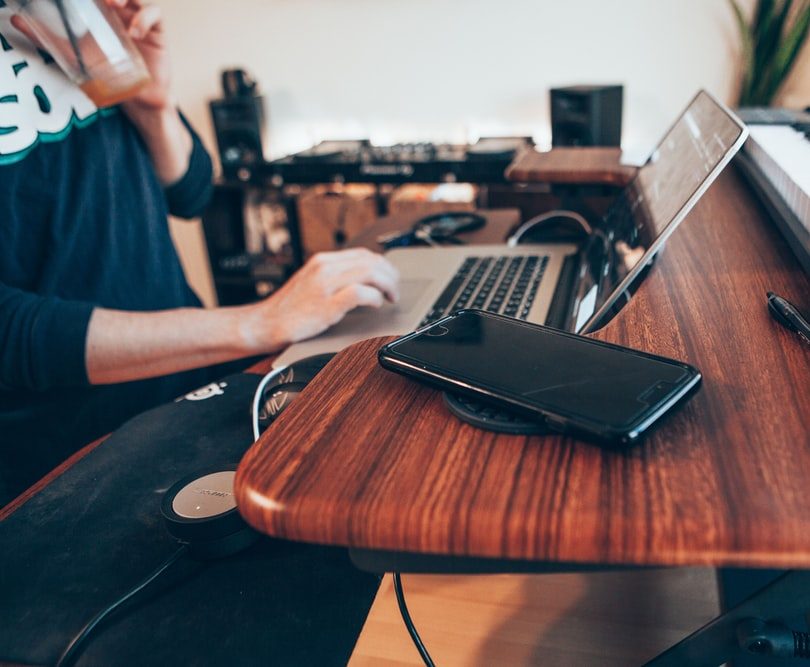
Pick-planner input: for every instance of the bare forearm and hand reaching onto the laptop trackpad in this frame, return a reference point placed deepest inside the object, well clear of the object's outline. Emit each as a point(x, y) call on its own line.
point(124, 346)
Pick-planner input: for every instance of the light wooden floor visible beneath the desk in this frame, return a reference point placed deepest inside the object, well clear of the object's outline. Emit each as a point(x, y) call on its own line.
point(562, 620)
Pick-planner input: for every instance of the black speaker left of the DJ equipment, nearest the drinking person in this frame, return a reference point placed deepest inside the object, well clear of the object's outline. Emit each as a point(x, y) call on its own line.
point(239, 119)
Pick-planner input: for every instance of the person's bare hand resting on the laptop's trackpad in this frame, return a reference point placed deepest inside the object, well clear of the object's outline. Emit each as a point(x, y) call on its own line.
point(319, 295)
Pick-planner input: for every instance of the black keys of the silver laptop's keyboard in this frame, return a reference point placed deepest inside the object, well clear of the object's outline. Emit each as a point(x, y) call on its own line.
point(507, 285)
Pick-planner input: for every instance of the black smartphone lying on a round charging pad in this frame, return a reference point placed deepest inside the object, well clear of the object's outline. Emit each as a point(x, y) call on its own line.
point(571, 383)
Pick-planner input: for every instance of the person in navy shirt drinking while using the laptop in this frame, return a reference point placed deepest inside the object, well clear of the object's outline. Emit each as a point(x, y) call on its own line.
point(97, 321)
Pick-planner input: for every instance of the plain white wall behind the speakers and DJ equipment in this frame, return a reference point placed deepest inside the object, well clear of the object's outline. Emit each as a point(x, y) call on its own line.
point(398, 70)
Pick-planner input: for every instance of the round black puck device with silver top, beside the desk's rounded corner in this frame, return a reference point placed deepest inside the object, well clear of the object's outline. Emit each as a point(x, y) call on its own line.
point(200, 511)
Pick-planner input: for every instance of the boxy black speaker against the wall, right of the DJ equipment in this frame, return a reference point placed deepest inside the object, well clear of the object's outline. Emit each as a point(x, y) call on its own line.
point(586, 116)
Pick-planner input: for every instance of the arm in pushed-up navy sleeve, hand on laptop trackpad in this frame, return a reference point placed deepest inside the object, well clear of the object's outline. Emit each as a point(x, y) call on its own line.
point(47, 342)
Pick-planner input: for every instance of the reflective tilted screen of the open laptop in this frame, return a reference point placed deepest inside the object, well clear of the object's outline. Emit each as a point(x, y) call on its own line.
point(691, 155)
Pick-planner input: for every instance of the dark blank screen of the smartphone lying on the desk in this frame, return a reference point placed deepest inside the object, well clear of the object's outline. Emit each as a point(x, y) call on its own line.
point(554, 371)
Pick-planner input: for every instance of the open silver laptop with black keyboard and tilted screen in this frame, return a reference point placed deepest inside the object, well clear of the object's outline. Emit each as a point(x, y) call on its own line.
point(571, 287)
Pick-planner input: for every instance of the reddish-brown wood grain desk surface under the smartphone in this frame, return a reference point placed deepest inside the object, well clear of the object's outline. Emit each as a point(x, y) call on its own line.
point(368, 459)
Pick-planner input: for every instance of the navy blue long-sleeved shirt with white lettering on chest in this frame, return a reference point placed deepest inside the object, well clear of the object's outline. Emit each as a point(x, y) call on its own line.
point(83, 224)
